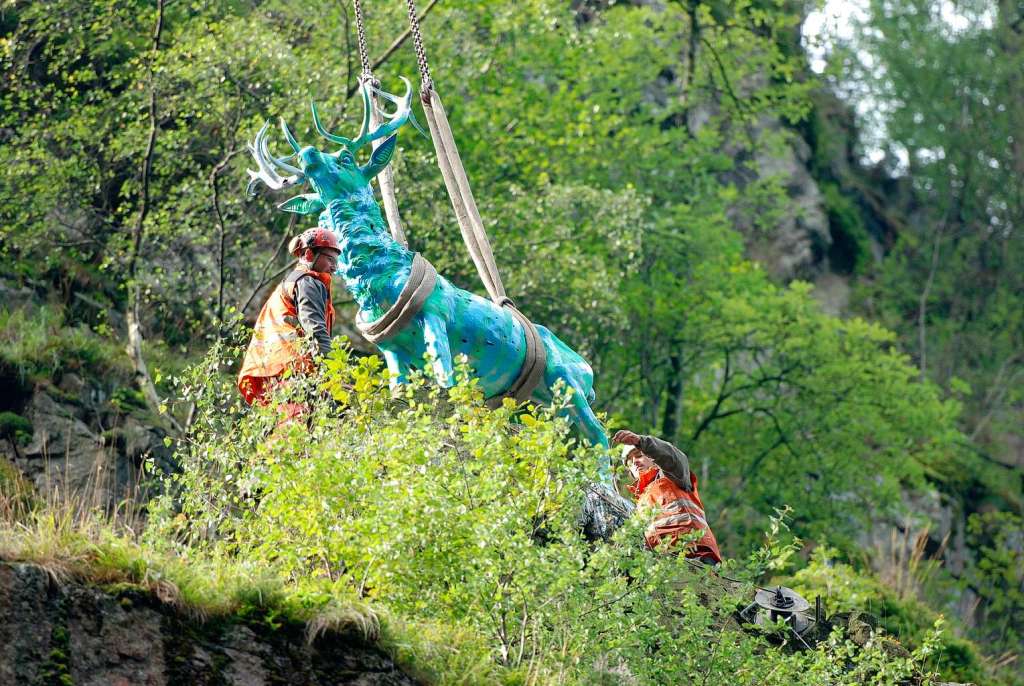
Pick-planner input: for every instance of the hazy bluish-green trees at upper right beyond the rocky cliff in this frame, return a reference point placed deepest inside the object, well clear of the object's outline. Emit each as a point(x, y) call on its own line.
point(947, 88)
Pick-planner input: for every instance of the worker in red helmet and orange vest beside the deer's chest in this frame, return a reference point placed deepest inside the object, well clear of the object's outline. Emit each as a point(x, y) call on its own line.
point(301, 306)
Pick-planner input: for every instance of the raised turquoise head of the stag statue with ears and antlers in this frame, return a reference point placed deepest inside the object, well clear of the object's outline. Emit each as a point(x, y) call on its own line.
point(332, 176)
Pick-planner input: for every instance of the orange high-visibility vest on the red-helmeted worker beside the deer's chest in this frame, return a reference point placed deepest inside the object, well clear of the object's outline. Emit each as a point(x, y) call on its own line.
point(274, 346)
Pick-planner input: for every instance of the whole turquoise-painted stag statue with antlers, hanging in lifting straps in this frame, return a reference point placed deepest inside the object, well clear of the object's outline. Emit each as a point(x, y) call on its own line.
point(376, 269)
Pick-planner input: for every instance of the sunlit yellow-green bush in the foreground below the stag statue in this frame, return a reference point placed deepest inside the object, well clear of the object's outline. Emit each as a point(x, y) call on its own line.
point(445, 513)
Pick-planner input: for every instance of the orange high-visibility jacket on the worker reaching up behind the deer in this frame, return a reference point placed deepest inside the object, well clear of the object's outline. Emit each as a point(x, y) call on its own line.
point(679, 512)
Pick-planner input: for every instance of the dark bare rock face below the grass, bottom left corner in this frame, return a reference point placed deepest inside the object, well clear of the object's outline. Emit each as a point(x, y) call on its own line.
point(74, 634)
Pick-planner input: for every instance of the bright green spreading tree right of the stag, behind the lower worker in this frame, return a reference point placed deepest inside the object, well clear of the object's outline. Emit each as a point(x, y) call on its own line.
point(787, 405)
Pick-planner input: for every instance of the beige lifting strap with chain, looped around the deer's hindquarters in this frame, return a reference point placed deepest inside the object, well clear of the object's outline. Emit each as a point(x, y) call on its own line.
point(471, 225)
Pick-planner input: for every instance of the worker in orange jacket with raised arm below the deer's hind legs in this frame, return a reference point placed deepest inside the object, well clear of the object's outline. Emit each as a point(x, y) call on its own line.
point(664, 483)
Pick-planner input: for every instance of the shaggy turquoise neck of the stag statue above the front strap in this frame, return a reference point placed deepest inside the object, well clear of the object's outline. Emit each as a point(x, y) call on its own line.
point(373, 265)
